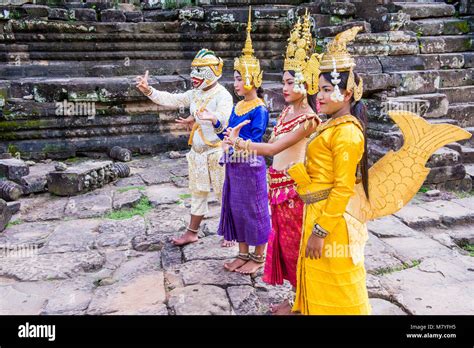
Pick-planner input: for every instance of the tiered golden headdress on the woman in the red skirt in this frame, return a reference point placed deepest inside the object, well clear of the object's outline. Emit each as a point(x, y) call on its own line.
point(299, 57)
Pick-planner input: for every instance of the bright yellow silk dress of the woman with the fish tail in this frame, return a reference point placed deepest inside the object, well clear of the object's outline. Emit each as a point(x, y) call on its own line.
point(332, 284)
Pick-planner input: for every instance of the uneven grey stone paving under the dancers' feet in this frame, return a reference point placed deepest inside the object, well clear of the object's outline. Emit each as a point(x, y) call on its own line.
point(72, 255)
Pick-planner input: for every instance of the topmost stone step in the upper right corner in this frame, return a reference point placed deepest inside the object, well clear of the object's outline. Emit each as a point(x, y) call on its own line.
point(422, 10)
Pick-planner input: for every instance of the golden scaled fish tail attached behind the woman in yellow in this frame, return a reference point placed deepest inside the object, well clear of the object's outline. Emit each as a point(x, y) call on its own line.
point(396, 177)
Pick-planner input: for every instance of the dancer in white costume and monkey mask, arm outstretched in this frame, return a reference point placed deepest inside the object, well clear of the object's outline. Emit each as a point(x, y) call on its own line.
point(203, 158)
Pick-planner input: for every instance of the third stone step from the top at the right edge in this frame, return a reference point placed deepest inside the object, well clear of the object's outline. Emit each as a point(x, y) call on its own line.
point(444, 43)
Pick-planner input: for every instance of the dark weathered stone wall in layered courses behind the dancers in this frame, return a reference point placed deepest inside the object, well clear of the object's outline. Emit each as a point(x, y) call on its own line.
point(67, 69)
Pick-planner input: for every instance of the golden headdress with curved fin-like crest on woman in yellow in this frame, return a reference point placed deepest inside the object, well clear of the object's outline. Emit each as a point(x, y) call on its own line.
point(337, 59)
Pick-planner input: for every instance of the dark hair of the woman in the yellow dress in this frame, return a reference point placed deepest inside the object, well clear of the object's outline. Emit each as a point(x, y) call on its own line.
point(359, 110)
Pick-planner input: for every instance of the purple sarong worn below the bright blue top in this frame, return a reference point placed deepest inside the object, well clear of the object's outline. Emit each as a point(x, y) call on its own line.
point(245, 216)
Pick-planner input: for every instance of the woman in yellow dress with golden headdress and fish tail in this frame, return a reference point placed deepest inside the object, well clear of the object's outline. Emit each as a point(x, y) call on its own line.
point(331, 278)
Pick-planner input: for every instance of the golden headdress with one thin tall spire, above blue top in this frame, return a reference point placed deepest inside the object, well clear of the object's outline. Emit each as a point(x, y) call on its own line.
point(247, 64)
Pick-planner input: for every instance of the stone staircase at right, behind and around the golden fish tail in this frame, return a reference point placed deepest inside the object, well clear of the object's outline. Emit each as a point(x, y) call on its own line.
point(442, 74)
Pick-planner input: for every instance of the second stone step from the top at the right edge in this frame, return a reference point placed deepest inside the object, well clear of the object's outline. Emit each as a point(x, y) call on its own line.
point(439, 26)
